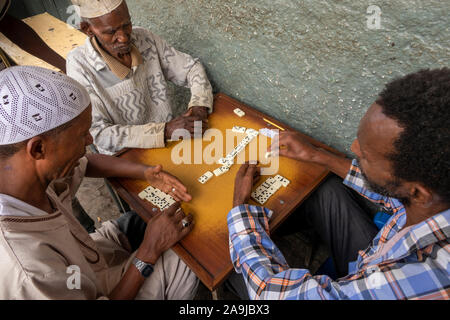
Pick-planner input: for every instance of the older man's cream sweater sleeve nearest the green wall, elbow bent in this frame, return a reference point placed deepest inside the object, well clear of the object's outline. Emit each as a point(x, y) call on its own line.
point(183, 70)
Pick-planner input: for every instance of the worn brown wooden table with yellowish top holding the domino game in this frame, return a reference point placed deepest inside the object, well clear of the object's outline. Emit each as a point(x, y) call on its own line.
point(205, 250)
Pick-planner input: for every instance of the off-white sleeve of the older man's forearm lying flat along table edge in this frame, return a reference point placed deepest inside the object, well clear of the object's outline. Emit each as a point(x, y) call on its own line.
point(109, 137)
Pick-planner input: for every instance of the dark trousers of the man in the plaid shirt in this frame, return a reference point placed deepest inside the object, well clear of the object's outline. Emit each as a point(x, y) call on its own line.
point(339, 216)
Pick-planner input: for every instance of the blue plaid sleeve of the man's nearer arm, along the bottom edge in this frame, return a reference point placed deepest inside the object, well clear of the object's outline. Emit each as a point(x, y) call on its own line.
point(268, 277)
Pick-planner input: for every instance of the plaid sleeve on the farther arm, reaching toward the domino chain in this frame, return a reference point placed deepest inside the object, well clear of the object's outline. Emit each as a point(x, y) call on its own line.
point(356, 181)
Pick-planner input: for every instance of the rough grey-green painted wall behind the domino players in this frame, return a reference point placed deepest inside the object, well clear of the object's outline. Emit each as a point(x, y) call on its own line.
point(312, 64)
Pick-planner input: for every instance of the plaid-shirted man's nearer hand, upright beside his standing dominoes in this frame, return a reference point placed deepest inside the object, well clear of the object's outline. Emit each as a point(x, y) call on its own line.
point(247, 175)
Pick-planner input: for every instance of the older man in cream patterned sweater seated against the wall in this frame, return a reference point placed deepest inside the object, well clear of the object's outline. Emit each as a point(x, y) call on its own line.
point(125, 71)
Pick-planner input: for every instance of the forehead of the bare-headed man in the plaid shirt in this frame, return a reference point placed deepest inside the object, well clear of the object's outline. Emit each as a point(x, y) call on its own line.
point(377, 132)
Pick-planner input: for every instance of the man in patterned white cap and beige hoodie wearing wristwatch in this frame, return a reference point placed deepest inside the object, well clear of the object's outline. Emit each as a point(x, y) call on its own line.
point(45, 253)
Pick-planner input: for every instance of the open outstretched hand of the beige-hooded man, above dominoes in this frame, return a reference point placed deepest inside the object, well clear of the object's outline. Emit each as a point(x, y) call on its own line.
point(167, 183)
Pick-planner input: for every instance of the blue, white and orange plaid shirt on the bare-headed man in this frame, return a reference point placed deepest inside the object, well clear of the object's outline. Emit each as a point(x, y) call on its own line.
point(401, 263)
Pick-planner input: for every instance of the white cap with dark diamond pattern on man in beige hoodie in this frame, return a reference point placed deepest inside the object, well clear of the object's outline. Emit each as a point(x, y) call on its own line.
point(35, 100)
